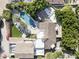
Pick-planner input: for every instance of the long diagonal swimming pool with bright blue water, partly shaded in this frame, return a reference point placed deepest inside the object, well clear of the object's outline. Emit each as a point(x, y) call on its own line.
point(28, 20)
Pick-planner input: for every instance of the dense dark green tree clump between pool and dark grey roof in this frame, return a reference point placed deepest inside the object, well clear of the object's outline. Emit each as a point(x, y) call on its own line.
point(35, 7)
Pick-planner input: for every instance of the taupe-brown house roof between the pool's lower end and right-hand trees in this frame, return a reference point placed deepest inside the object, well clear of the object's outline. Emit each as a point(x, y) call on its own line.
point(49, 33)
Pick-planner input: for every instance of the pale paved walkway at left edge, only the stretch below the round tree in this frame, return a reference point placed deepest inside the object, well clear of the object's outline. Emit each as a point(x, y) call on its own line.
point(5, 45)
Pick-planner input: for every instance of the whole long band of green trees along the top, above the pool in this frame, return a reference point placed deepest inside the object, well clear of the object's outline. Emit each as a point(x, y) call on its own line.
point(30, 8)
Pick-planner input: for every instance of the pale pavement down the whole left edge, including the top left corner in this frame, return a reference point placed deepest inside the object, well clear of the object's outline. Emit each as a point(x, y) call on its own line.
point(5, 45)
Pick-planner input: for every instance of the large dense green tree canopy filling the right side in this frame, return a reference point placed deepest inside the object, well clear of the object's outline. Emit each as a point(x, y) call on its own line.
point(69, 27)
